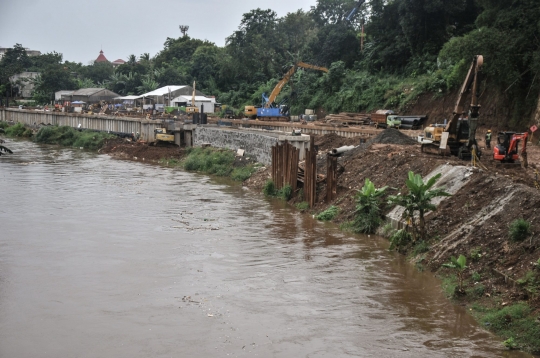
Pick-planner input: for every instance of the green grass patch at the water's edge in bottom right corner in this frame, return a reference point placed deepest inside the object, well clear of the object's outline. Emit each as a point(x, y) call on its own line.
point(514, 322)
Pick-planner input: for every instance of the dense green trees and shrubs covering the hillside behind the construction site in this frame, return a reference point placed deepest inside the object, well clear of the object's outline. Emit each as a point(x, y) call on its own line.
point(409, 47)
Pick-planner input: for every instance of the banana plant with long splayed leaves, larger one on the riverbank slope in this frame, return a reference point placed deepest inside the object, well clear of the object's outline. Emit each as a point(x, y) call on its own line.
point(418, 199)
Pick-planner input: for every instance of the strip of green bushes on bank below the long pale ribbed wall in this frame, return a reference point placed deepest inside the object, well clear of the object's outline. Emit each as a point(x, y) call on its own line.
point(70, 137)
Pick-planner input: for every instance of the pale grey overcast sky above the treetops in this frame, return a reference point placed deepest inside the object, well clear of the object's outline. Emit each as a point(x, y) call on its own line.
point(80, 28)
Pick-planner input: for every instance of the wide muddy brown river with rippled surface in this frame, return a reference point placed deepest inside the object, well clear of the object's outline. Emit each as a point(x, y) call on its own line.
point(108, 258)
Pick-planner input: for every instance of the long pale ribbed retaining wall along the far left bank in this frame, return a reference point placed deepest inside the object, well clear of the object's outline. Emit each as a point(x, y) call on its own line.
point(95, 122)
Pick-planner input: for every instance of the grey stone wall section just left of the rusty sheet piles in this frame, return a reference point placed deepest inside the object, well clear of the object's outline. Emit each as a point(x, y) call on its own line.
point(254, 144)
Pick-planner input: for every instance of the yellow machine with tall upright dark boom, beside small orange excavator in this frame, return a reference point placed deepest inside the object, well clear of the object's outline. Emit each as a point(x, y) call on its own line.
point(458, 136)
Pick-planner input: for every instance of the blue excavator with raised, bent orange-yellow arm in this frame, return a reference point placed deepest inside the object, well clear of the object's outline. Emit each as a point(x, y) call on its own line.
point(269, 110)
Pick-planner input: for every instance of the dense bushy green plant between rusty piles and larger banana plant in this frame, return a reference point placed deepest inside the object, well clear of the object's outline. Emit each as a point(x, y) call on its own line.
point(368, 208)
